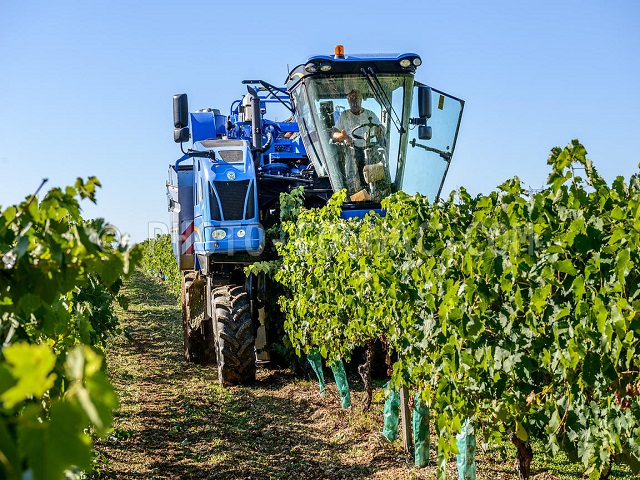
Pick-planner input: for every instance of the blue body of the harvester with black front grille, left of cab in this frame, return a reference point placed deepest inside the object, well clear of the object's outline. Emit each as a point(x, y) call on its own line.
point(222, 220)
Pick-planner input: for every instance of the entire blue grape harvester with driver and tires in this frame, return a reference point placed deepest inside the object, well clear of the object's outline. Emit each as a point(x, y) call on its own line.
point(355, 122)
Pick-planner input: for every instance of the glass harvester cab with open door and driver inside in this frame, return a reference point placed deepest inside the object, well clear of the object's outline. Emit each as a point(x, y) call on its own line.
point(389, 135)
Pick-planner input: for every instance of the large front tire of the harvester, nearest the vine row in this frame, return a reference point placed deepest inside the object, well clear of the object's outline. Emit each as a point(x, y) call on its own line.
point(235, 337)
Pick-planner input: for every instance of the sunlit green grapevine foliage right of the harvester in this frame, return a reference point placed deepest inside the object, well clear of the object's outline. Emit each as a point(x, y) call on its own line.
point(516, 309)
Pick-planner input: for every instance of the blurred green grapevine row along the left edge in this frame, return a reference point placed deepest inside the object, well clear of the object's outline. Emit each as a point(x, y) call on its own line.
point(59, 276)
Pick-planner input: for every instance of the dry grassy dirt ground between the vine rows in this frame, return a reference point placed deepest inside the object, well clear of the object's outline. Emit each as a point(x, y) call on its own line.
point(176, 421)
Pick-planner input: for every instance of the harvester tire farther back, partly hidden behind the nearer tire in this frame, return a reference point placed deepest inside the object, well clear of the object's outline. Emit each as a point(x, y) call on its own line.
point(197, 348)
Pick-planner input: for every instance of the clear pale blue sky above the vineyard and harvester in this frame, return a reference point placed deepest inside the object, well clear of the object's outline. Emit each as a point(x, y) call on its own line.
point(87, 85)
